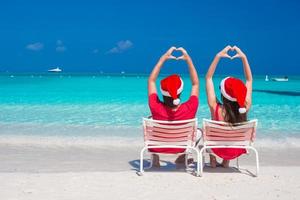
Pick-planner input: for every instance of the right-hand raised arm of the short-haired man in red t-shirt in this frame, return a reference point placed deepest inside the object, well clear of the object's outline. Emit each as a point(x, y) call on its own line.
point(192, 70)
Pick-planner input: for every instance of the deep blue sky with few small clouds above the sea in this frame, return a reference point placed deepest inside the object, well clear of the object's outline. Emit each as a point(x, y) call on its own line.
point(114, 36)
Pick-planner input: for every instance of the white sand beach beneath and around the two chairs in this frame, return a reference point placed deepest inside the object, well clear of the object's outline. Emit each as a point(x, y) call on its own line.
point(78, 171)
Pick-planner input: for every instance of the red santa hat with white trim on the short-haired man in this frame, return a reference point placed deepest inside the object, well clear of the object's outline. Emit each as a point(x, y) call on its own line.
point(172, 86)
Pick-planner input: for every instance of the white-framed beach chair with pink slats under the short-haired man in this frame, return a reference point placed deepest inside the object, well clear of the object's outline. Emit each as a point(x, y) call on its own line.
point(170, 134)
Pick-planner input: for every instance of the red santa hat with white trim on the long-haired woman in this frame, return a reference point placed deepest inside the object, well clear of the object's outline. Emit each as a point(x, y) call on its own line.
point(235, 90)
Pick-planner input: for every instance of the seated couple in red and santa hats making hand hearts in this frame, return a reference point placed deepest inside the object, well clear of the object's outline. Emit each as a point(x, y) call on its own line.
point(235, 95)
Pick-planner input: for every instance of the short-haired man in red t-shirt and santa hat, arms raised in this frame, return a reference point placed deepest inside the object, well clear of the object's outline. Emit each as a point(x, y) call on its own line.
point(170, 108)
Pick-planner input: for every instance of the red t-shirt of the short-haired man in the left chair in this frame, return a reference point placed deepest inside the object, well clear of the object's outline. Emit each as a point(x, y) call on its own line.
point(160, 111)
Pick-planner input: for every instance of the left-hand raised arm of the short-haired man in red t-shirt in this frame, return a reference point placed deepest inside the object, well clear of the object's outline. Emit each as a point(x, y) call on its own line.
point(153, 76)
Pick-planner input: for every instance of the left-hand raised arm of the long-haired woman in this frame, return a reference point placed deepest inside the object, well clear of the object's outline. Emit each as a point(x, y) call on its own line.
point(210, 90)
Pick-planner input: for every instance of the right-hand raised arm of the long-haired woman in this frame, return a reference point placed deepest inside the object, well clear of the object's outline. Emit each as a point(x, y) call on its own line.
point(247, 73)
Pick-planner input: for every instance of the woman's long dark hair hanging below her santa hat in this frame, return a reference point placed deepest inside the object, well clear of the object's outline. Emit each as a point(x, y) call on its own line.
point(232, 114)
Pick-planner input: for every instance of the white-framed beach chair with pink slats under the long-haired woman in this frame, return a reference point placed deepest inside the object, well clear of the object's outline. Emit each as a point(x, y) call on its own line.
point(218, 134)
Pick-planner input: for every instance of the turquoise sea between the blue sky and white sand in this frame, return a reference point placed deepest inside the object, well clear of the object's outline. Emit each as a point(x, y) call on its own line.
point(113, 105)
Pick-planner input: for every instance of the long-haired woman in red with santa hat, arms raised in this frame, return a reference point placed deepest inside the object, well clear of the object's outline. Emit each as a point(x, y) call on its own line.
point(236, 97)
